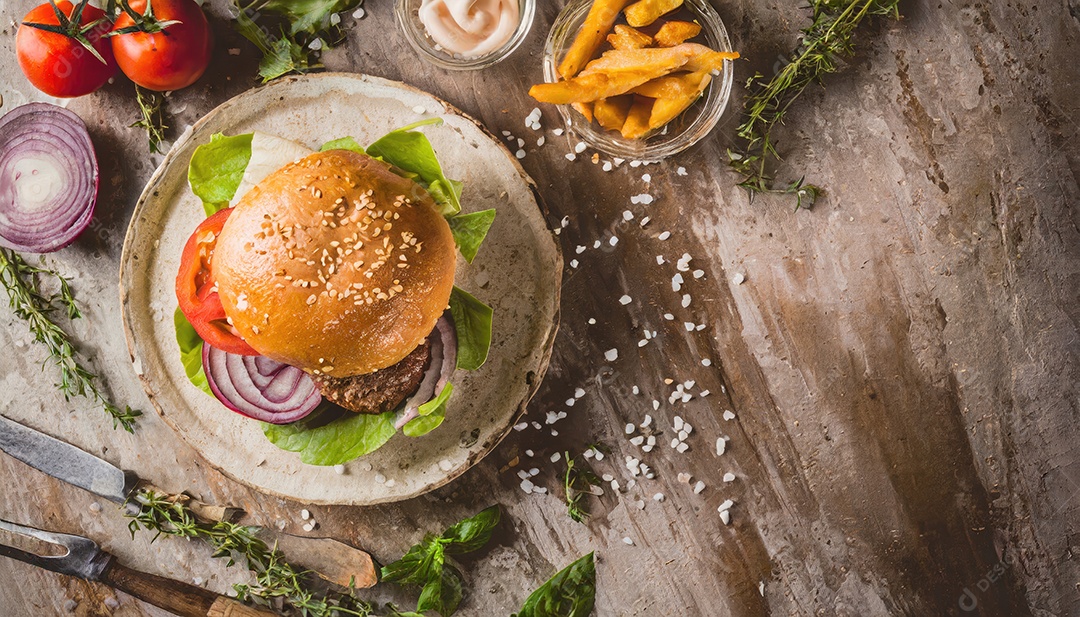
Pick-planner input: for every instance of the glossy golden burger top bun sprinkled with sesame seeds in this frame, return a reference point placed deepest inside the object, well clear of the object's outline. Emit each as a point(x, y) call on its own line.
point(335, 264)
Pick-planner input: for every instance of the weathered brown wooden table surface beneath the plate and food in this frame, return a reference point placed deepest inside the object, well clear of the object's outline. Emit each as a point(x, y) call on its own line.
point(902, 361)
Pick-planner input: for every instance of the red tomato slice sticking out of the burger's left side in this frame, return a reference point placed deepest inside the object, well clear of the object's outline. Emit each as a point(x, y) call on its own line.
point(197, 292)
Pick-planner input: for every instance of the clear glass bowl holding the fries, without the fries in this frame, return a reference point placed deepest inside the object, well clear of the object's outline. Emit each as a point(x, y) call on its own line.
point(681, 133)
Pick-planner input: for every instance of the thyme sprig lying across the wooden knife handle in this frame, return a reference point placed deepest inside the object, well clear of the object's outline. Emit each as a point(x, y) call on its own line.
point(276, 580)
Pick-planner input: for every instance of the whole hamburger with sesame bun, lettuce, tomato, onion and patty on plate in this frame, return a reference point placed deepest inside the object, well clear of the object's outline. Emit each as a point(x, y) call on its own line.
point(328, 289)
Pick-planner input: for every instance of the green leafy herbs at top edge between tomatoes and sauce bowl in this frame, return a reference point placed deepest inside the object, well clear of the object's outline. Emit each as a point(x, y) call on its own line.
point(306, 28)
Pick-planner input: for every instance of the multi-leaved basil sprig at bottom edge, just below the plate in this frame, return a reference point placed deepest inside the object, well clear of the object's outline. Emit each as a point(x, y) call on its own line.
point(428, 565)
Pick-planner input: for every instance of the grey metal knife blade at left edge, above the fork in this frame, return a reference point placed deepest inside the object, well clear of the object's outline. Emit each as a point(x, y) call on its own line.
point(64, 462)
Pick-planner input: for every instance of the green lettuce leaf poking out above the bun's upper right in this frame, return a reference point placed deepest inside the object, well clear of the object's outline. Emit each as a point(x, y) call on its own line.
point(412, 152)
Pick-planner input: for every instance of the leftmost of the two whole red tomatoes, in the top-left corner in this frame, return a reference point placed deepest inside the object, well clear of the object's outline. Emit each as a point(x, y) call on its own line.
point(63, 65)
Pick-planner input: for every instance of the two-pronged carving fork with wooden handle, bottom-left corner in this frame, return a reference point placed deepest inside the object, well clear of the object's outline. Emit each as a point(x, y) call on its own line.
point(86, 560)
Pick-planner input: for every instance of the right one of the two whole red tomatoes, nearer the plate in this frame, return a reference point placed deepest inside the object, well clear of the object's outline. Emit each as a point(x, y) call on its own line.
point(168, 47)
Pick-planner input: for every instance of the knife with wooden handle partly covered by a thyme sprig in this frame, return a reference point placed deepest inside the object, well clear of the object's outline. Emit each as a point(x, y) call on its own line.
point(333, 561)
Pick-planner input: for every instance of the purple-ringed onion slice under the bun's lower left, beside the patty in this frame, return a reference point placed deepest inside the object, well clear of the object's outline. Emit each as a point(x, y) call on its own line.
point(259, 387)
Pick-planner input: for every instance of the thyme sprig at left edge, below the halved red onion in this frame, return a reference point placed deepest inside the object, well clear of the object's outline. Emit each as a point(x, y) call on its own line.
point(23, 284)
